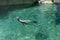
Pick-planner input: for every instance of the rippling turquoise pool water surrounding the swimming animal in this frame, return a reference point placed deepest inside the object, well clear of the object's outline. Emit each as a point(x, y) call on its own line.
point(11, 29)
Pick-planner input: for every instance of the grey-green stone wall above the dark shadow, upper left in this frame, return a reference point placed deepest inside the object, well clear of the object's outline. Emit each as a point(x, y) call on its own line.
point(16, 2)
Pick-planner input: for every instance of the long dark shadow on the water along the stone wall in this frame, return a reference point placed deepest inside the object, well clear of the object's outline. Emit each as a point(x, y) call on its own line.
point(4, 9)
